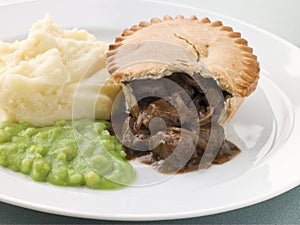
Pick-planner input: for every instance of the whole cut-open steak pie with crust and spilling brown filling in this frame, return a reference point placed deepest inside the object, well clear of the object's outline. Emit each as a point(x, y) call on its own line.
point(183, 79)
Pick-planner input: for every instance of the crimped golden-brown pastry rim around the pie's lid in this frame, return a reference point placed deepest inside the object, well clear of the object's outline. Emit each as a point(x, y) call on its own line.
point(248, 75)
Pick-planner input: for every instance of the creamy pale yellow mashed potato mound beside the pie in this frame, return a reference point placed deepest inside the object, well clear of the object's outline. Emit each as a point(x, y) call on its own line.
point(53, 75)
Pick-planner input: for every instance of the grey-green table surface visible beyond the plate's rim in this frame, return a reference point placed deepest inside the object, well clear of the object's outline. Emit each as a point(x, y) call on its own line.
point(280, 17)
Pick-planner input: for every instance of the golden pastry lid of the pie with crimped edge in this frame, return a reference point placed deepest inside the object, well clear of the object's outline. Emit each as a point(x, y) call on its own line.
point(159, 47)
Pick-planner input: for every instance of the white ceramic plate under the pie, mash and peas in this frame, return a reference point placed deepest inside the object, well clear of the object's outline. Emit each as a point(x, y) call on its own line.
point(267, 127)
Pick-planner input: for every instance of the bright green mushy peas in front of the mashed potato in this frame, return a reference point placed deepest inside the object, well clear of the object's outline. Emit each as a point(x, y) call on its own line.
point(78, 153)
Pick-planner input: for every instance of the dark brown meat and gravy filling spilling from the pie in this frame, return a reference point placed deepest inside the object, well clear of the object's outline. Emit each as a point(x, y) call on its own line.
point(174, 123)
